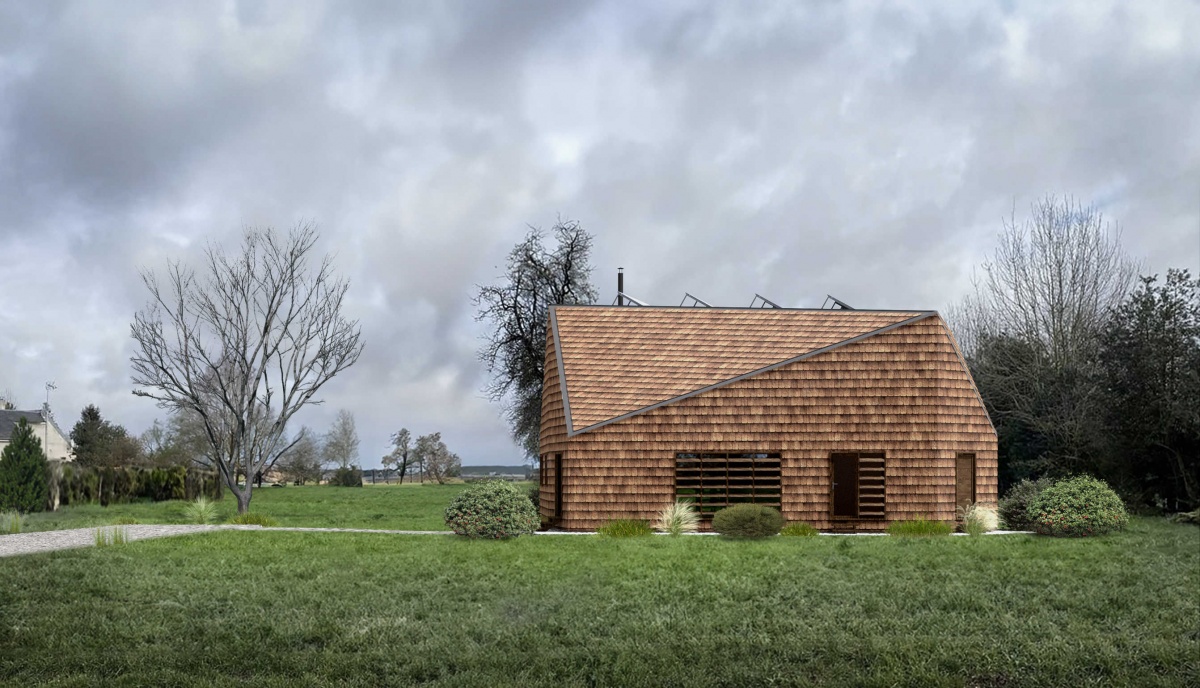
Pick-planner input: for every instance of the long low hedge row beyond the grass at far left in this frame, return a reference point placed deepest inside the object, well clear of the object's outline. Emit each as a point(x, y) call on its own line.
point(109, 486)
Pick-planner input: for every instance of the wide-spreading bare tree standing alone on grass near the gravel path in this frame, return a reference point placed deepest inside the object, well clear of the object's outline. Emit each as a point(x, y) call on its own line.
point(255, 340)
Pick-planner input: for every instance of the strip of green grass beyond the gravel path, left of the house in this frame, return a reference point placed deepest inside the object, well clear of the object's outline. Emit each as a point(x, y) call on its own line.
point(393, 507)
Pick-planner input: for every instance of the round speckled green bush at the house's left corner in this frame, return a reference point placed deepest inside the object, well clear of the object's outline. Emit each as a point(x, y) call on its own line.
point(494, 510)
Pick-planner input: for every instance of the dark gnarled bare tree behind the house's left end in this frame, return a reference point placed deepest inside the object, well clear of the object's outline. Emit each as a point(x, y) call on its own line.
point(518, 309)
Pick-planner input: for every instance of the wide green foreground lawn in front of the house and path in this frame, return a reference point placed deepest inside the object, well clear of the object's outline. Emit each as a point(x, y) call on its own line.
point(316, 609)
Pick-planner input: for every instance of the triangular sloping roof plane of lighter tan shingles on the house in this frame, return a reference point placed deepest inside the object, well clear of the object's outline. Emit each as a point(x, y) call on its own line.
point(617, 361)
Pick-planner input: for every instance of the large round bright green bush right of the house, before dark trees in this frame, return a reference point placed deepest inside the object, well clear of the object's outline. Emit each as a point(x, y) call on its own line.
point(1078, 507)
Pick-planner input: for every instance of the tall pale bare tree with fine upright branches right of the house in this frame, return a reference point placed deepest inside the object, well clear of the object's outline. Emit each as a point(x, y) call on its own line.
point(1033, 325)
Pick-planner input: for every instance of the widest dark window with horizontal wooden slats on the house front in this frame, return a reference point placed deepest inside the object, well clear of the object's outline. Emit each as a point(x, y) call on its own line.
point(715, 481)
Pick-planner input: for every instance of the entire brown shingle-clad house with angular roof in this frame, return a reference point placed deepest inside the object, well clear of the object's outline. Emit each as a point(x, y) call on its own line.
point(847, 420)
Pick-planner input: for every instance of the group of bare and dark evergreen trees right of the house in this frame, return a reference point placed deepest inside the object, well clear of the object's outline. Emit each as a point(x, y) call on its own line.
point(1085, 366)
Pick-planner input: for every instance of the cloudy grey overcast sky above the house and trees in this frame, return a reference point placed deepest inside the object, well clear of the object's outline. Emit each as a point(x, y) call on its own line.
point(793, 149)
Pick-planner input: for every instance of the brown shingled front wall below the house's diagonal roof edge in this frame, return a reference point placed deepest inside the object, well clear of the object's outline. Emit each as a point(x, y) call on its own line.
point(904, 392)
